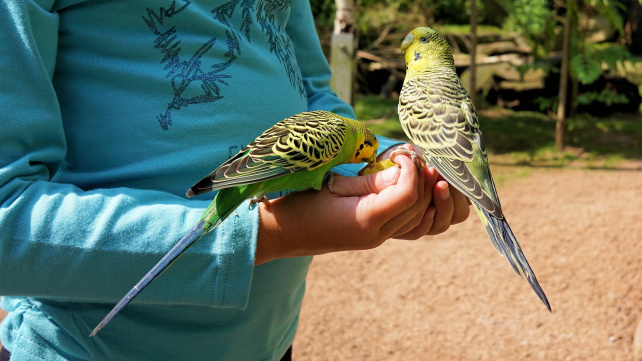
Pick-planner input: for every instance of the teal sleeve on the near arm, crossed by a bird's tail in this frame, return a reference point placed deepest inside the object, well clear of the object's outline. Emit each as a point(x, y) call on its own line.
point(59, 241)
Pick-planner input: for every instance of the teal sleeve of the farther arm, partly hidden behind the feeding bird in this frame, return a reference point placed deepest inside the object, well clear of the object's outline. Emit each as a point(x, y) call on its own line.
point(317, 75)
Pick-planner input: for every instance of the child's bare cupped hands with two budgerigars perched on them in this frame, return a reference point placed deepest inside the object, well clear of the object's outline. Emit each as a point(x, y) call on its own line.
point(400, 202)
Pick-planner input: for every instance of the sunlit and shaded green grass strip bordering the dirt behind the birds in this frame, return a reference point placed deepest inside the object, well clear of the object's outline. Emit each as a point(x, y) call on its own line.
point(528, 138)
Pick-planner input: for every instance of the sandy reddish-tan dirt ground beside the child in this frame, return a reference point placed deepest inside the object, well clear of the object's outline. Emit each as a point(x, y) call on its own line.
point(452, 297)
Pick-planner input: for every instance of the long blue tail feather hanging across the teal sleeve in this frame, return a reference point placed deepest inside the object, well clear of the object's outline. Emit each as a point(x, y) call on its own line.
point(194, 235)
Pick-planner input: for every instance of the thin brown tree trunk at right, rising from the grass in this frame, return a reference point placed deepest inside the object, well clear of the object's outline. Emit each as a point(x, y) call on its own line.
point(563, 90)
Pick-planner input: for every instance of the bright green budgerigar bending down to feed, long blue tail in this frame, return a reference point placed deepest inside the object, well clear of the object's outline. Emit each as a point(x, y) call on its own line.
point(295, 154)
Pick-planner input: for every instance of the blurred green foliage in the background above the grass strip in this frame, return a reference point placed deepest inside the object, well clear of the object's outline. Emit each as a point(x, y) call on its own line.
point(539, 22)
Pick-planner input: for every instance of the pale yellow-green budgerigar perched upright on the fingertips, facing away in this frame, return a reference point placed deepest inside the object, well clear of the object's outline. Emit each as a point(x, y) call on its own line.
point(436, 112)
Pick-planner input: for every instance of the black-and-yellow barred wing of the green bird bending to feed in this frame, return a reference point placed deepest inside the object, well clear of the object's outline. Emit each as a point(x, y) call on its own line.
point(302, 142)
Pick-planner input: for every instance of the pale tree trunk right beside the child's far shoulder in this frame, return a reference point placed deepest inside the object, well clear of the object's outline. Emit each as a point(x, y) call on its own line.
point(342, 59)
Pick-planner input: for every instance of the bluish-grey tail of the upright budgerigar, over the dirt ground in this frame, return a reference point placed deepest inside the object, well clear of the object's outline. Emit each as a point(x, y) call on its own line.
point(505, 243)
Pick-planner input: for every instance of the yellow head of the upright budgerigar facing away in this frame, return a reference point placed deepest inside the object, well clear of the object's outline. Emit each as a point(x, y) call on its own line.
point(424, 48)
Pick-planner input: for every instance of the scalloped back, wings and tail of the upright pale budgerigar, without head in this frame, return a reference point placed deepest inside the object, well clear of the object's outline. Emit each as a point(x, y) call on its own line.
point(442, 123)
